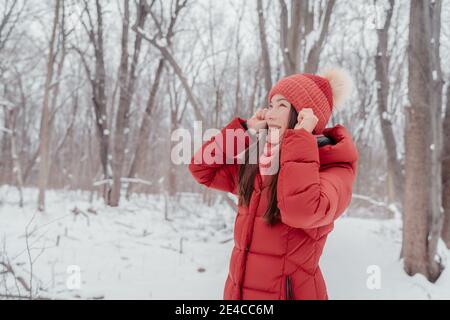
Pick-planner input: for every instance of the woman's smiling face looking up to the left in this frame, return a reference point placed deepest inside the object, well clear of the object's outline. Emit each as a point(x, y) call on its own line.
point(278, 114)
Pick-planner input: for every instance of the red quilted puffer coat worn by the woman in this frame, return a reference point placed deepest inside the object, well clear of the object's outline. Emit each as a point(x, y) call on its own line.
point(314, 188)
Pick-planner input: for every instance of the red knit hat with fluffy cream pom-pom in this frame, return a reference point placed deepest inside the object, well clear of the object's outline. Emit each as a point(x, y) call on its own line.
point(319, 92)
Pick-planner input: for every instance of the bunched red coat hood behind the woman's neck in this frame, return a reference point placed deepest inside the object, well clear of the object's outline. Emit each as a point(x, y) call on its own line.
point(344, 149)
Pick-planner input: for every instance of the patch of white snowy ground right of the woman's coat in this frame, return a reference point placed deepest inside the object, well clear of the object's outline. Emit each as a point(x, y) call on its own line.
point(358, 244)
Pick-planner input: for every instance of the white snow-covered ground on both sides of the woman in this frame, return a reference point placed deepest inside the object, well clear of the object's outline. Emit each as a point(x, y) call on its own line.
point(86, 250)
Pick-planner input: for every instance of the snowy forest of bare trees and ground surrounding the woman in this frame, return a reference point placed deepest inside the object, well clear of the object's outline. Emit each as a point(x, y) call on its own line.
point(91, 92)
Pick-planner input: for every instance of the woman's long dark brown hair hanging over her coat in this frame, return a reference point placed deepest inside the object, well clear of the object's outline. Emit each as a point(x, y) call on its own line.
point(247, 174)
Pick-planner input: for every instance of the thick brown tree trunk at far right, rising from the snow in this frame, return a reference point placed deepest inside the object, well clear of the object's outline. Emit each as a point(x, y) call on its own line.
point(423, 144)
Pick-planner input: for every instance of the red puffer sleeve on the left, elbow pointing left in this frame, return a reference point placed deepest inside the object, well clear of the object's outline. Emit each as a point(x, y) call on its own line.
point(215, 164)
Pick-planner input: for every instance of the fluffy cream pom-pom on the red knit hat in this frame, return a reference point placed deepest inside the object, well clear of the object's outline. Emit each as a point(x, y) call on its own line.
point(341, 84)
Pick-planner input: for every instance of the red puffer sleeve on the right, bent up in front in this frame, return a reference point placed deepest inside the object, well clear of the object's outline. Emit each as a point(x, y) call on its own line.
point(308, 197)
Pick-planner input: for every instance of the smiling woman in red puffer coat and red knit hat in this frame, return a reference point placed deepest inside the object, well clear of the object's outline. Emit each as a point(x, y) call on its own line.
point(288, 200)
